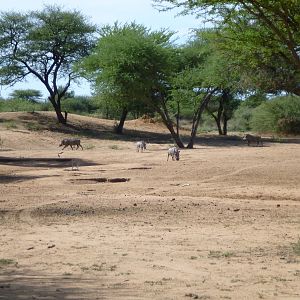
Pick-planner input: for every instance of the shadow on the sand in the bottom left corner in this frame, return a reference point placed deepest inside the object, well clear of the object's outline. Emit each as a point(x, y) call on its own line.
point(26, 284)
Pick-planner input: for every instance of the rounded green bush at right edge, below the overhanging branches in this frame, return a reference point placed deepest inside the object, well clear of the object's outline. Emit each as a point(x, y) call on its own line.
point(281, 115)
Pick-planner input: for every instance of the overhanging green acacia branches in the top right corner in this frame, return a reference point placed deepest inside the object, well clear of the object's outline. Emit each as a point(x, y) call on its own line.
point(263, 35)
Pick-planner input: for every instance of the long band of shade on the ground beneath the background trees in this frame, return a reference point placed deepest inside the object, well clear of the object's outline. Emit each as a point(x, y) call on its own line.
point(90, 129)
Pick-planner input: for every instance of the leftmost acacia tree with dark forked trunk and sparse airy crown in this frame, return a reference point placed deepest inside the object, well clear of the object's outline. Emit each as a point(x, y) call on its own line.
point(45, 44)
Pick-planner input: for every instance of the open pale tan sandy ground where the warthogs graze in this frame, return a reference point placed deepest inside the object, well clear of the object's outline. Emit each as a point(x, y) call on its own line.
point(218, 224)
